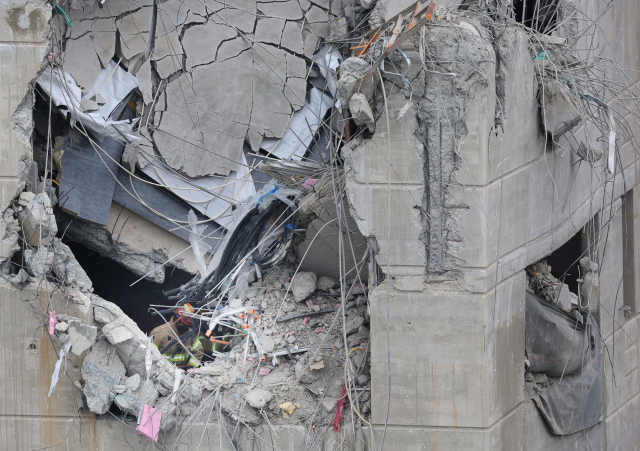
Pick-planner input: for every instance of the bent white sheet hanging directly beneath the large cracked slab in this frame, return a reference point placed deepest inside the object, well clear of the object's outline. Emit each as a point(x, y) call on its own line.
point(212, 196)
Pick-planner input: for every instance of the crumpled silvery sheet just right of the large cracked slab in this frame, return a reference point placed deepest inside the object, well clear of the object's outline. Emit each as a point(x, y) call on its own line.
point(303, 127)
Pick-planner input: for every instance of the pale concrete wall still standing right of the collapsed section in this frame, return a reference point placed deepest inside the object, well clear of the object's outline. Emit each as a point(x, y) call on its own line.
point(457, 349)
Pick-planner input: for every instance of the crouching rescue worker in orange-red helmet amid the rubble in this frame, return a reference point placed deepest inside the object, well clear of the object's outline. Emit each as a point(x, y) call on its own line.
point(178, 325)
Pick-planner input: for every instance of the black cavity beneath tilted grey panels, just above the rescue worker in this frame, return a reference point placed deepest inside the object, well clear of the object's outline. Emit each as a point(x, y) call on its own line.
point(111, 281)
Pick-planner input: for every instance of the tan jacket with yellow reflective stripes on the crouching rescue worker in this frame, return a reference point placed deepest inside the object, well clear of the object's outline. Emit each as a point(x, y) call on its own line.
point(163, 334)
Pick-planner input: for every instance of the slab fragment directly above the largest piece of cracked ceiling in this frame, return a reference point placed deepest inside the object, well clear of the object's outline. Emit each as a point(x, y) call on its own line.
point(201, 42)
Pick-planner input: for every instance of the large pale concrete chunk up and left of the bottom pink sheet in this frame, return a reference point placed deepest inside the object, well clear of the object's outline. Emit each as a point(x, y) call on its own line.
point(102, 370)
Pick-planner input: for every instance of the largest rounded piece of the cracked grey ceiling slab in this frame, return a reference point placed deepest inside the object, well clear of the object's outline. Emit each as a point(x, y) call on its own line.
point(193, 136)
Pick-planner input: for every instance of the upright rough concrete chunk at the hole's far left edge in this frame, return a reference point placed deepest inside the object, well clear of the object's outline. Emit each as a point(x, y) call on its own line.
point(38, 222)
